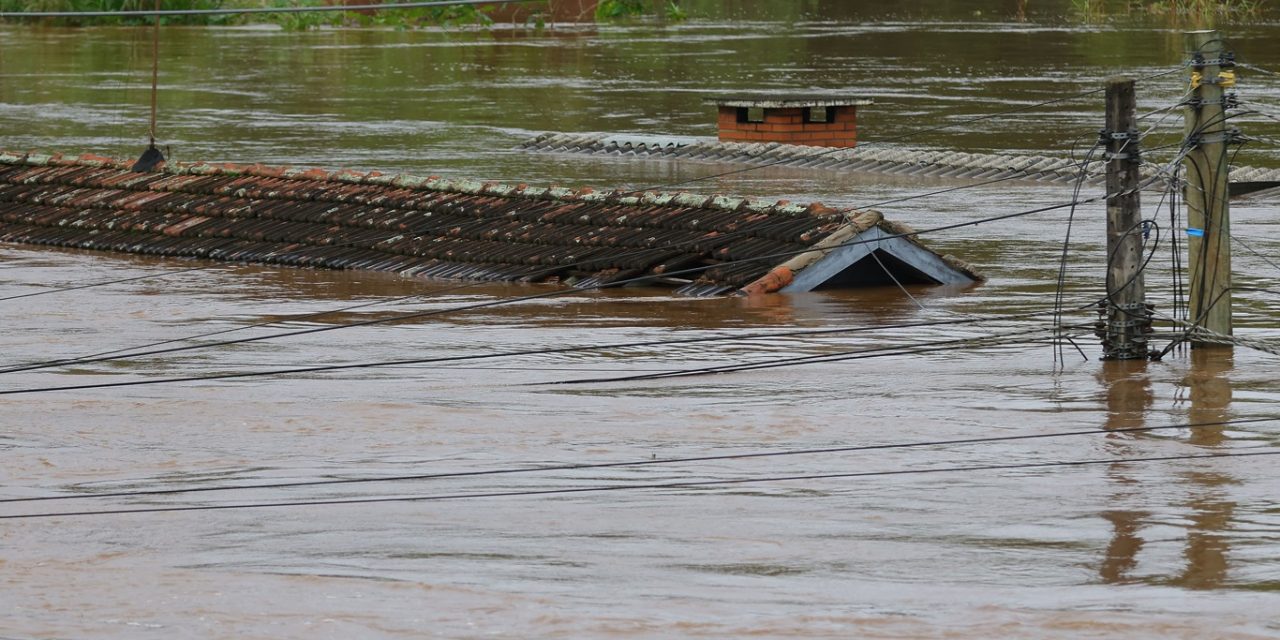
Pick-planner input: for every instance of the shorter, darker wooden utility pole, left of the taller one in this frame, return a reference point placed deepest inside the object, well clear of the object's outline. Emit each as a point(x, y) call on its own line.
point(1127, 317)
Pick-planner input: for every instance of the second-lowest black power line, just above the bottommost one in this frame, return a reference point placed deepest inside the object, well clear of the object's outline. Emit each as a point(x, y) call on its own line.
point(643, 463)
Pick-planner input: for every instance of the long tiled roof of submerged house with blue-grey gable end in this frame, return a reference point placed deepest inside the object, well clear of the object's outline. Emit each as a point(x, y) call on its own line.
point(458, 230)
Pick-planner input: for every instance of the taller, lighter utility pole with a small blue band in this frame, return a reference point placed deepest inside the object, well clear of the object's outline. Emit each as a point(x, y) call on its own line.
point(1209, 230)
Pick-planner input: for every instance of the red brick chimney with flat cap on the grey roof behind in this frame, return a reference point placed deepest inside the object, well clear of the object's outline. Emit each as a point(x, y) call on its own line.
point(821, 122)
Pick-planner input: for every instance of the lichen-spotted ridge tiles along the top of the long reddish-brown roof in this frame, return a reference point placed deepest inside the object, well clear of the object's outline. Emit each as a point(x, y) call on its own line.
point(445, 185)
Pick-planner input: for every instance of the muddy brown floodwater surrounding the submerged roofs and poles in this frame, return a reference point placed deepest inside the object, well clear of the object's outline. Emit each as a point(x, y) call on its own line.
point(1144, 550)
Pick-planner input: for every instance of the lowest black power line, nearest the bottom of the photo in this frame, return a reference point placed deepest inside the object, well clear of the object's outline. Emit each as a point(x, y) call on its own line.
point(691, 484)
